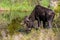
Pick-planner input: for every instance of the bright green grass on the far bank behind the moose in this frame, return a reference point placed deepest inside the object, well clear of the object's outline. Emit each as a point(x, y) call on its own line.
point(23, 6)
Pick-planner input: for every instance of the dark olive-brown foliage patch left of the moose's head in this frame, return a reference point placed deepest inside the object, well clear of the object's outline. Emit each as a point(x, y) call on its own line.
point(14, 25)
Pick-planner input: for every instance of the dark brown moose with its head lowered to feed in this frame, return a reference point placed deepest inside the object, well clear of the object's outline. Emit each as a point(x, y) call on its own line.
point(40, 13)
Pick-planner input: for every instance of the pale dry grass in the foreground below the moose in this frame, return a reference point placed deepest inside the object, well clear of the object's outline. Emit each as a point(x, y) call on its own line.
point(43, 34)
